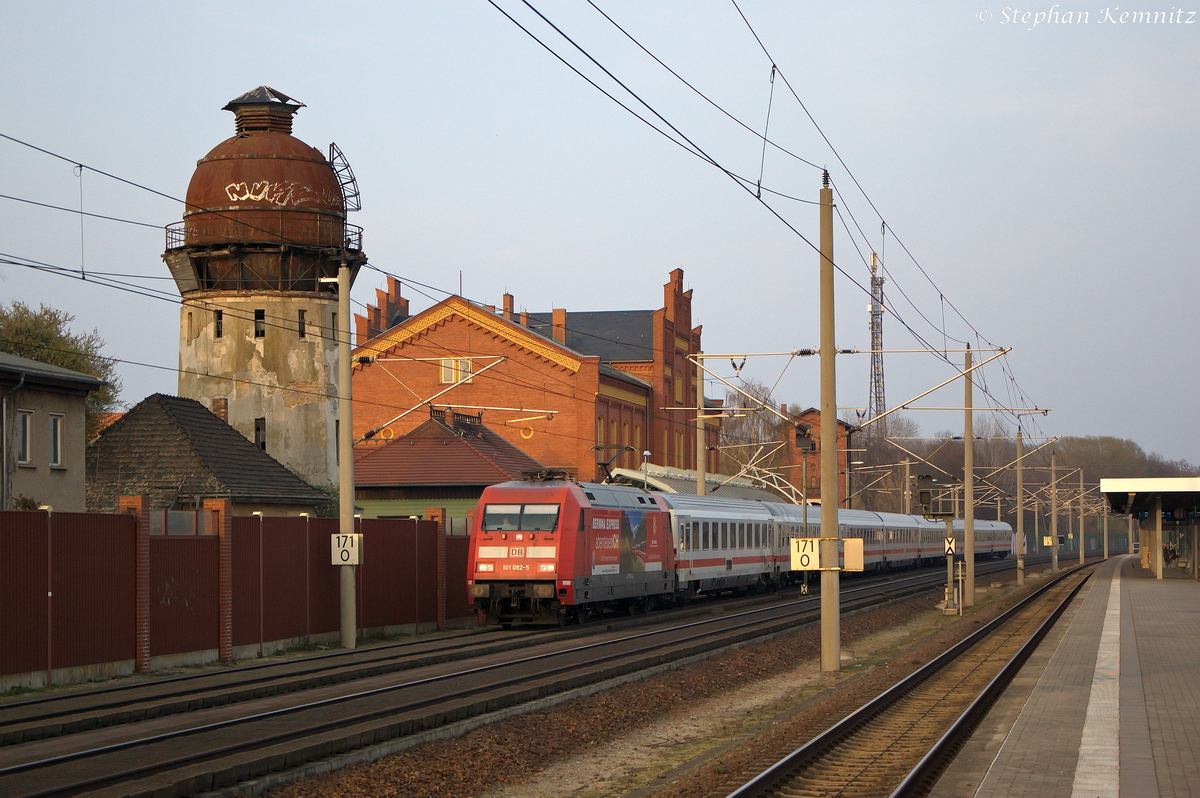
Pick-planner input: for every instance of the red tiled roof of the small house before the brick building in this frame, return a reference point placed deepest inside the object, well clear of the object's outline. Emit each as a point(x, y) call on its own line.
point(437, 454)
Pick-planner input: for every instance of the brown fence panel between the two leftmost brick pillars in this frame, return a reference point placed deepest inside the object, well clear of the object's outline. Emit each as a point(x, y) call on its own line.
point(184, 595)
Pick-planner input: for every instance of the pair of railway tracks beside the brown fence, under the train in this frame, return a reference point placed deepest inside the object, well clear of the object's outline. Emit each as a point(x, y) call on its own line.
point(202, 734)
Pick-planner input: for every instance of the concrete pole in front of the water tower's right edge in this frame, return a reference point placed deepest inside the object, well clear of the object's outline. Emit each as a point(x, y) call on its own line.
point(346, 454)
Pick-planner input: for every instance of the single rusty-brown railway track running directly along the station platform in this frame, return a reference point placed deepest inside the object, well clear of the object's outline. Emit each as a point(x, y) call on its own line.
point(899, 743)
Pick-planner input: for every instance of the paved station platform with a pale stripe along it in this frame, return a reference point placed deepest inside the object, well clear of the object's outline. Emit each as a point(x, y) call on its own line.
point(1108, 706)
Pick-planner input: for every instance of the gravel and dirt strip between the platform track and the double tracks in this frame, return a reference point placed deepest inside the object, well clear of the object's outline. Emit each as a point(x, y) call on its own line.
point(679, 735)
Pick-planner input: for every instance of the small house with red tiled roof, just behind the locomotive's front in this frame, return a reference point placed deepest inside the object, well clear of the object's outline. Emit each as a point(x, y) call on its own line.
point(443, 464)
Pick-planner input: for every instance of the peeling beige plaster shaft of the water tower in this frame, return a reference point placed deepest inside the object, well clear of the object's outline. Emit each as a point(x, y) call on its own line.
point(289, 381)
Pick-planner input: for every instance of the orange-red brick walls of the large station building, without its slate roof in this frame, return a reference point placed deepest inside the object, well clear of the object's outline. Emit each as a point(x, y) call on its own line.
point(595, 411)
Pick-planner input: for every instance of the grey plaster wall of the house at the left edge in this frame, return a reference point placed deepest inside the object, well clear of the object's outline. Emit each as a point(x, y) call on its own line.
point(59, 487)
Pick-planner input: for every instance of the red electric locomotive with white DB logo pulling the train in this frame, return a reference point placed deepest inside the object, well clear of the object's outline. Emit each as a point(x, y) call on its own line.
point(545, 553)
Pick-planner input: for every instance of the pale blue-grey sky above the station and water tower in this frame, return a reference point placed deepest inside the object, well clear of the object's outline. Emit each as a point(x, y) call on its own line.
point(1036, 169)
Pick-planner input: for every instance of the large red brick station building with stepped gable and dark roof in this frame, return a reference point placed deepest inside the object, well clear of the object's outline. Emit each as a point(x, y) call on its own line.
point(567, 388)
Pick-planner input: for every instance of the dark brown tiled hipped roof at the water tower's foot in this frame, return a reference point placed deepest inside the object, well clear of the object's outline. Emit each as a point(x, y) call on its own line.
point(178, 453)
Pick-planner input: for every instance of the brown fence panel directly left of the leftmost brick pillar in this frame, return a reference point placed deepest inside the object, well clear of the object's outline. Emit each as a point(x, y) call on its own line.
point(94, 583)
